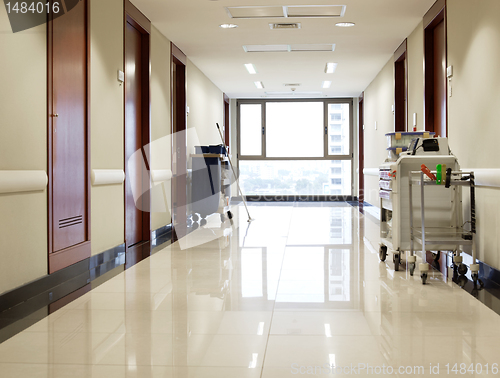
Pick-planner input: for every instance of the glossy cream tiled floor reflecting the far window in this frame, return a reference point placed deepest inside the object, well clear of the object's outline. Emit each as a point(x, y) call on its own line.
point(296, 291)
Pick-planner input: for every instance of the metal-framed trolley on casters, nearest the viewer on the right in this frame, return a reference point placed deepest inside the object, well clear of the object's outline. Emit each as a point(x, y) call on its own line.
point(453, 236)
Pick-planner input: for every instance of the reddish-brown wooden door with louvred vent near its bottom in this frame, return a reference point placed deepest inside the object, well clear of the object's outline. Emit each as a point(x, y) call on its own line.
point(68, 163)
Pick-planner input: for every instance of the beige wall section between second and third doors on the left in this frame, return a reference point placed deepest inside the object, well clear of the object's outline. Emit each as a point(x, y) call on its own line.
point(160, 125)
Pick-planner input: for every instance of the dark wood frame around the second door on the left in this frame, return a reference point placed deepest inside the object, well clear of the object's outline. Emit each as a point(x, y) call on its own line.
point(141, 23)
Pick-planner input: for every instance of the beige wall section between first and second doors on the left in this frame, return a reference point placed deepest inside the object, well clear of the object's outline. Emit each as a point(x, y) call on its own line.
point(107, 109)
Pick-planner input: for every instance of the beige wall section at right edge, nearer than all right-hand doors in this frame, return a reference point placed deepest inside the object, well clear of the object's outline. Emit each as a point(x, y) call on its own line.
point(474, 108)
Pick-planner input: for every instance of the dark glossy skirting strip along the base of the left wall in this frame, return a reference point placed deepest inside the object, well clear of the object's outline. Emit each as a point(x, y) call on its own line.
point(25, 305)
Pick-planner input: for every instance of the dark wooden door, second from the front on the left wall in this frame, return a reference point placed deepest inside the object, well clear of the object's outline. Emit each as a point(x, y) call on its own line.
point(136, 133)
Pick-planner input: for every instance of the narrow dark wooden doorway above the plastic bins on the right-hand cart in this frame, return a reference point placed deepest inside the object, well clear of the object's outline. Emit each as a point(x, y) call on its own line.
point(401, 88)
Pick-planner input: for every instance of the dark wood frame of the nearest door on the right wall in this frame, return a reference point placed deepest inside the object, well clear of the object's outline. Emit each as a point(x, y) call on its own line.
point(435, 15)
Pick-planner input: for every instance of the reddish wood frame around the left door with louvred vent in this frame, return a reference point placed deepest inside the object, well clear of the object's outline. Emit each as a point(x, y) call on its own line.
point(66, 257)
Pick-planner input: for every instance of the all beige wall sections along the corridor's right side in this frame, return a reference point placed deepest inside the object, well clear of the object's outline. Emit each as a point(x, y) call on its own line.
point(473, 108)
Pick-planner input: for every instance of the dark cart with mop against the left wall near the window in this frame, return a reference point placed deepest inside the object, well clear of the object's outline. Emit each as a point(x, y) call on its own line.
point(211, 183)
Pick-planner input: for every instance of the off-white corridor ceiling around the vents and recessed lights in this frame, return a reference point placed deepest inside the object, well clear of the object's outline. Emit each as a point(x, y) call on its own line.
point(360, 51)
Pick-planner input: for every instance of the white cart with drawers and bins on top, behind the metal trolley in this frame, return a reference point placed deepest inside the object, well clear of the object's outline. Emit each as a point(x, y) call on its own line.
point(422, 149)
